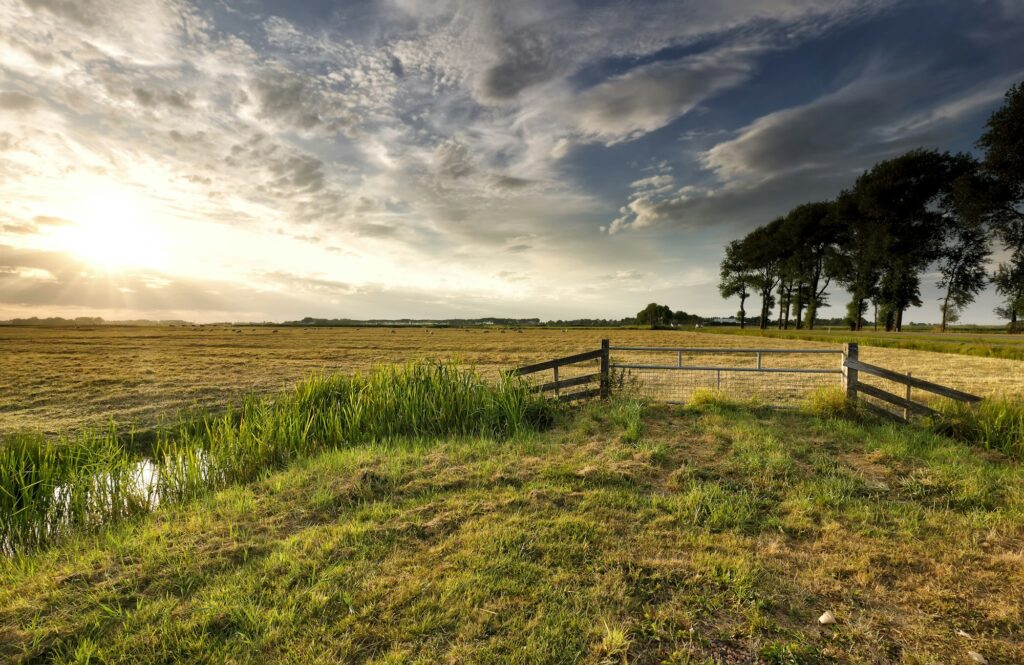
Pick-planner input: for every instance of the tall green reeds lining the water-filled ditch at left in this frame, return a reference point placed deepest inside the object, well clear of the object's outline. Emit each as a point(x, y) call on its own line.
point(52, 487)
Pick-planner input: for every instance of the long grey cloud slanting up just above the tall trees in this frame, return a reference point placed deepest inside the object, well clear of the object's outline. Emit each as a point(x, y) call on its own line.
point(809, 152)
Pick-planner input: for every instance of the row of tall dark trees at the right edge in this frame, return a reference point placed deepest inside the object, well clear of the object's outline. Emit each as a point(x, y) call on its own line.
point(925, 211)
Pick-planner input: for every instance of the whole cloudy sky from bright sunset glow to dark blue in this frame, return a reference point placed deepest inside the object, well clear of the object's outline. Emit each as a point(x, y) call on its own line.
point(267, 160)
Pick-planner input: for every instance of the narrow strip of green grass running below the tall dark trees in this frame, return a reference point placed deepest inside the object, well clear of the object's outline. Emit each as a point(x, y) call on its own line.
point(983, 346)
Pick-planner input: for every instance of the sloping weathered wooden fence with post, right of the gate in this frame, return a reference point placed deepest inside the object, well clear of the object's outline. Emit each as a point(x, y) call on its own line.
point(852, 367)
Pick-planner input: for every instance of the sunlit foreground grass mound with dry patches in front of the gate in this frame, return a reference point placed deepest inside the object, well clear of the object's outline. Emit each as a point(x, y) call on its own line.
point(628, 533)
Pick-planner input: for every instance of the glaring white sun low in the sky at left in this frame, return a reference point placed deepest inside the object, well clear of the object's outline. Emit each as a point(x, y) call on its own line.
point(114, 231)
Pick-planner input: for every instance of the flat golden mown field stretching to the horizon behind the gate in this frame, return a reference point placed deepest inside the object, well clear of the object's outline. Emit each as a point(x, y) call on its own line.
point(64, 380)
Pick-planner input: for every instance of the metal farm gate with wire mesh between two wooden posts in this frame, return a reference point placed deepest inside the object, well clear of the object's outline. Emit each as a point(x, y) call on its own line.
point(776, 377)
